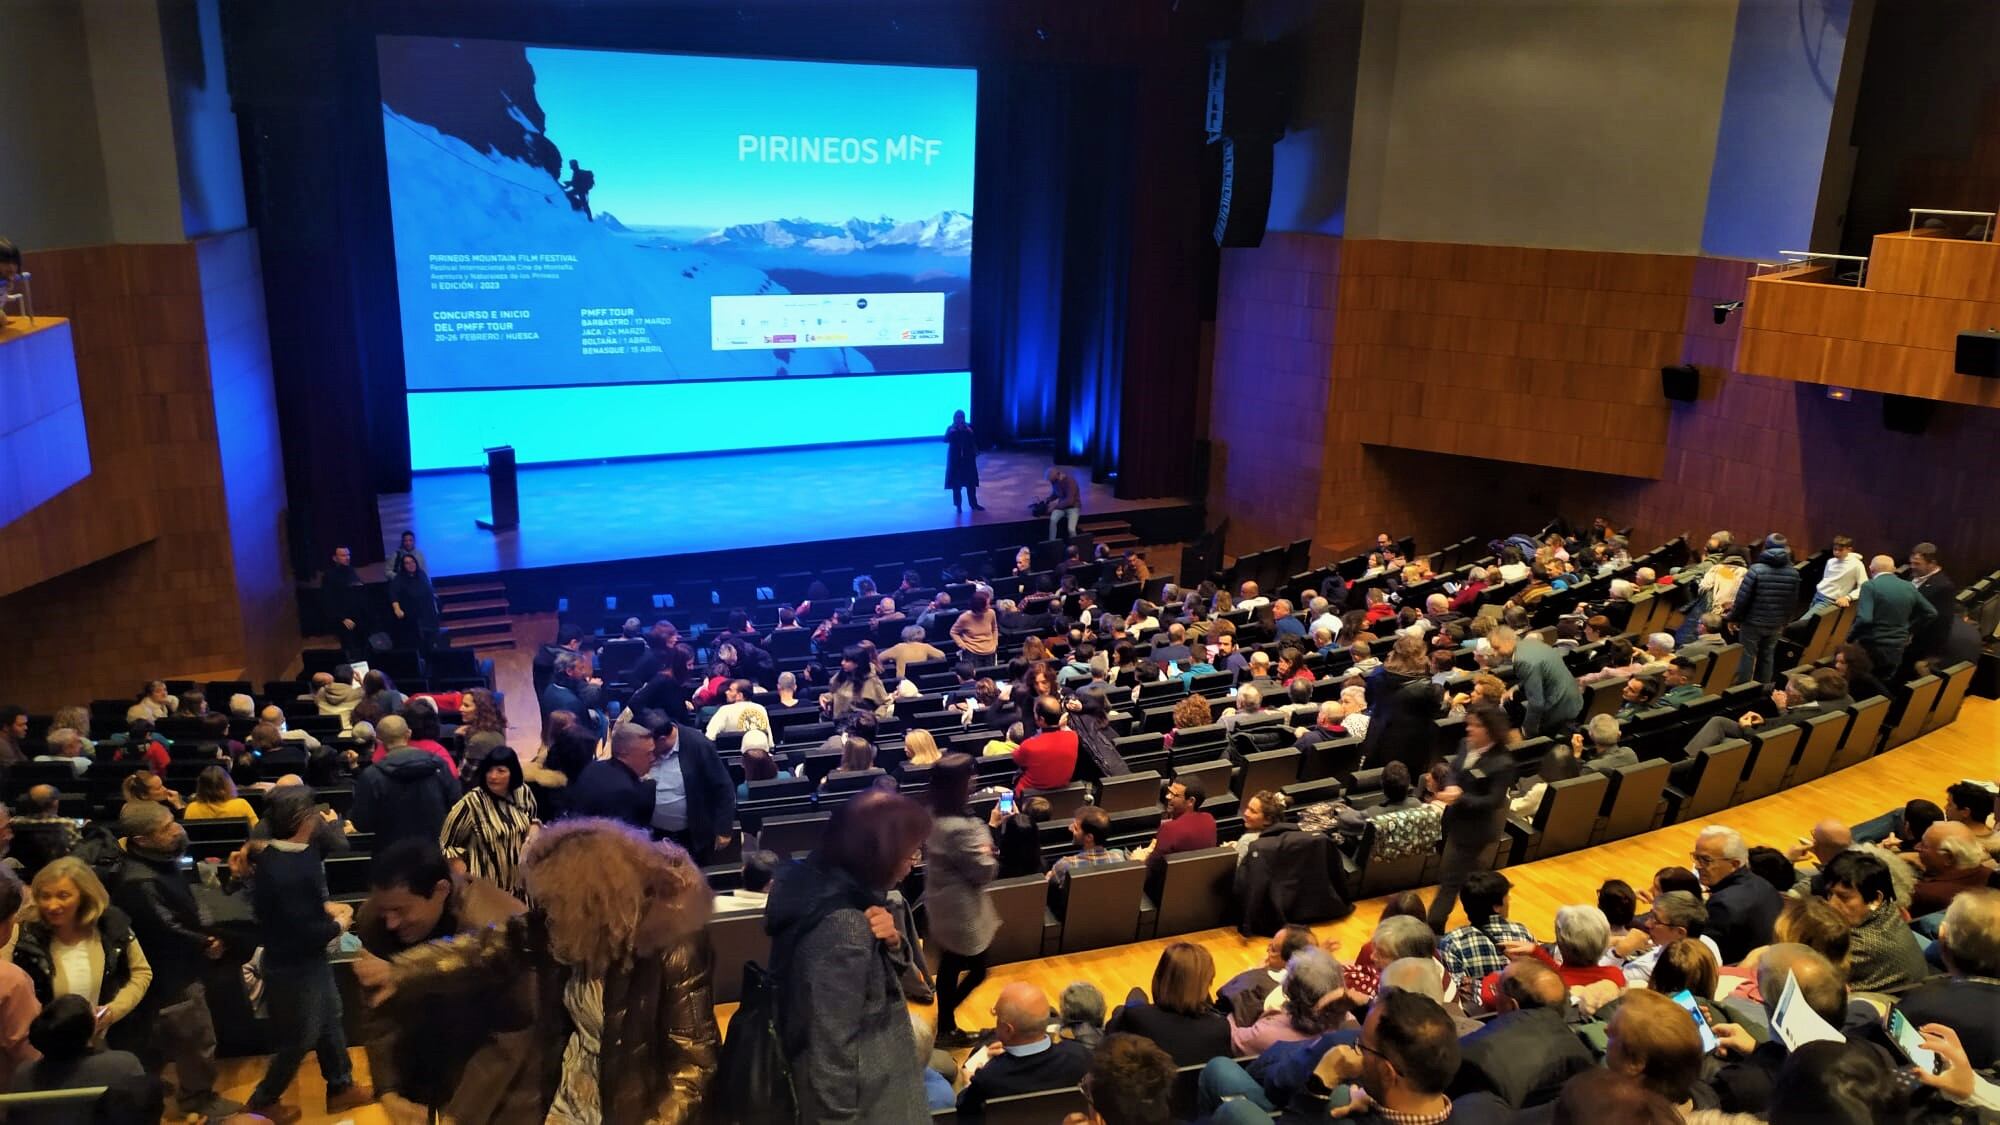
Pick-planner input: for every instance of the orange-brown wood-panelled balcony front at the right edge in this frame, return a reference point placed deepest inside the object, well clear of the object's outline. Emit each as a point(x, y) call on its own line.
point(1893, 337)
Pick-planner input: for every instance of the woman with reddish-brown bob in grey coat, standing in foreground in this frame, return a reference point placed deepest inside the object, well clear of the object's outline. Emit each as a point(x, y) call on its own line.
point(839, 960)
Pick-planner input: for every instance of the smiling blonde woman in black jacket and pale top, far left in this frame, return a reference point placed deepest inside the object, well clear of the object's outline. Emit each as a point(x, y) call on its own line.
point(77, 944)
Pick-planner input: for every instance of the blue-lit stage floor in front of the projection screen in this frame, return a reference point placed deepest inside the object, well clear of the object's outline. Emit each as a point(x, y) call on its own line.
point(645, 509)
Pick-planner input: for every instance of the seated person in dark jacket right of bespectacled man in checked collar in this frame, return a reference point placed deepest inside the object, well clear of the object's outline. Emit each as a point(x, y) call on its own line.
point(1527, 1052)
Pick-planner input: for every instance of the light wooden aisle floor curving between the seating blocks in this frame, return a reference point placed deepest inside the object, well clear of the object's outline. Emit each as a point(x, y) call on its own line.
point(1971, 748)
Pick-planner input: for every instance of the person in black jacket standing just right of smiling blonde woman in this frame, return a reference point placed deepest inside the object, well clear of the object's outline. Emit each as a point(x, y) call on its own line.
point(167, 920)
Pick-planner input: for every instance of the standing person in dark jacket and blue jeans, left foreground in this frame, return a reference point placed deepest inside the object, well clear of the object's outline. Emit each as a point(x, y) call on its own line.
point(295, 926)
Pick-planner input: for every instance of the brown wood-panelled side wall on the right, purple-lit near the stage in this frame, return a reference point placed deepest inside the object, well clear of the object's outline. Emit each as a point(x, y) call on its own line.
point(1751, 455)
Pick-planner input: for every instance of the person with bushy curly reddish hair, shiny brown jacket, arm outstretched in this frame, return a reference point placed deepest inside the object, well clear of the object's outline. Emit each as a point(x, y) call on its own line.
point(615, 954)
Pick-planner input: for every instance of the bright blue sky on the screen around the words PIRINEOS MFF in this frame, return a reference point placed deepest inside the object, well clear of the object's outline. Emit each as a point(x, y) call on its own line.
point(659, 131)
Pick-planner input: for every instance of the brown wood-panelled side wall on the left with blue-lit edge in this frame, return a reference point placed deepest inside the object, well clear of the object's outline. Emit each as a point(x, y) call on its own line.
point(151, 555)
